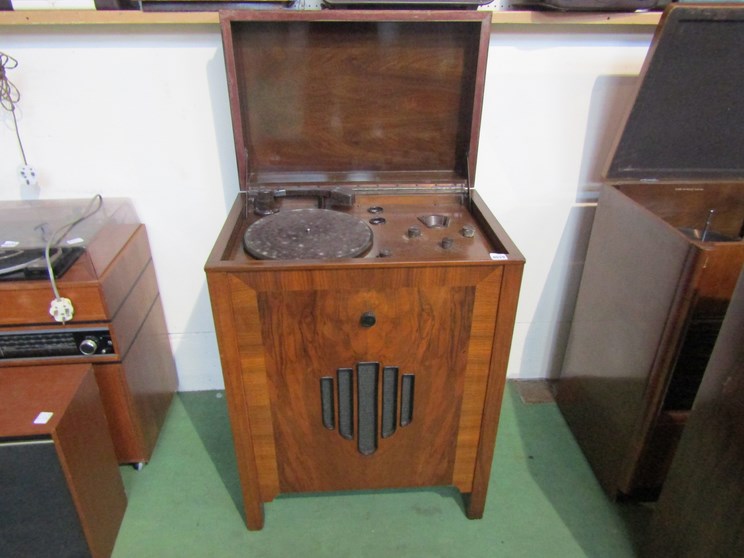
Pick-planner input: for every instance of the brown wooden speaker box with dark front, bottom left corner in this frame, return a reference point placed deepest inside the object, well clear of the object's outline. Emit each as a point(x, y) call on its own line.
point(62, 494)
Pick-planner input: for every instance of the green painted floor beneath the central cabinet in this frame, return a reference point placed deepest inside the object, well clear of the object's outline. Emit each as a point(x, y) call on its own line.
point(543, 501)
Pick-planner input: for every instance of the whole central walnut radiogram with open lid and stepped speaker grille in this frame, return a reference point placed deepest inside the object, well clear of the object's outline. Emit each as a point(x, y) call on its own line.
point(363, 296)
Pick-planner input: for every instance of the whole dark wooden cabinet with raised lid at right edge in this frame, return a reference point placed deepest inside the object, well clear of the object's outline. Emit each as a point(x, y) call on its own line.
point(664, 256)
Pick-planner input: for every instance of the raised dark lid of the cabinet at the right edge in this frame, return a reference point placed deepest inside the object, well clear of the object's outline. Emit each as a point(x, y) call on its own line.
point(687, 121)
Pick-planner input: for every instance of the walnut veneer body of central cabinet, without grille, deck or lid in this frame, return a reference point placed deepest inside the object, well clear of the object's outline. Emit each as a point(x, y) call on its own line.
point(281, 327)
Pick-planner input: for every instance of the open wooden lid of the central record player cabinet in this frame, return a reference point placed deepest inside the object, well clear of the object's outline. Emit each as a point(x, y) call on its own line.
point(355, 97)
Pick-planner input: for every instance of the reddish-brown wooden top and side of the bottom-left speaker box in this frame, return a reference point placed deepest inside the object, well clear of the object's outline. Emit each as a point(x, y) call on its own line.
point(79, 432)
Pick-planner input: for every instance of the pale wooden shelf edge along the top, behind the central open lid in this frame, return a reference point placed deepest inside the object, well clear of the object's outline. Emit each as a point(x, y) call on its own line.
point(134, 17)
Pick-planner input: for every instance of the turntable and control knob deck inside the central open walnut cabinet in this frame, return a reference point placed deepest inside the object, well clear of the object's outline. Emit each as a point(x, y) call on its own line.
point(399, 228)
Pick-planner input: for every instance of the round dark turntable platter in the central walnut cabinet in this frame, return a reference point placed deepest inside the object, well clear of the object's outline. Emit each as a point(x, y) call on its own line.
point(307, 234)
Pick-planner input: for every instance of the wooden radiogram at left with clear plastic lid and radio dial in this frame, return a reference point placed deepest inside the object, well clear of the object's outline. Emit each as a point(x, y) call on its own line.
point(118, 324)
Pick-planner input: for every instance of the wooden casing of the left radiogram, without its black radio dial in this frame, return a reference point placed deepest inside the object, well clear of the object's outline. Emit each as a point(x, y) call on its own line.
point(112, 285)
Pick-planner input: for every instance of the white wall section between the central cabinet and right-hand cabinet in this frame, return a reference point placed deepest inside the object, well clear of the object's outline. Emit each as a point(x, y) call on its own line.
point(554, 98)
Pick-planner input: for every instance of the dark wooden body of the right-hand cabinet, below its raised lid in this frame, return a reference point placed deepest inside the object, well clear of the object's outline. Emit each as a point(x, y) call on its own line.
point(637, 333)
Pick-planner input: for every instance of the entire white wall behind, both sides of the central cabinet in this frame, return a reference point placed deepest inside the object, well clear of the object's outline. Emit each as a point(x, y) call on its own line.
point(142, 112)
